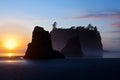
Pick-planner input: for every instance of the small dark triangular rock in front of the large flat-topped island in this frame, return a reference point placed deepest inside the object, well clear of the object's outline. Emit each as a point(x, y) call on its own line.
point(73, 48)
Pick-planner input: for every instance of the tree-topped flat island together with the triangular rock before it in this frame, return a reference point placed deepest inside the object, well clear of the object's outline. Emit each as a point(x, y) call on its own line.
point(88, 42)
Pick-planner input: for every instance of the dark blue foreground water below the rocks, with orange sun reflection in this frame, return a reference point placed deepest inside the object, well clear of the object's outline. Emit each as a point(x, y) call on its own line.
point(18, 68)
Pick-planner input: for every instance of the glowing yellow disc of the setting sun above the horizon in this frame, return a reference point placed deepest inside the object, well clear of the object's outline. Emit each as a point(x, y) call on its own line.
point(10, 44)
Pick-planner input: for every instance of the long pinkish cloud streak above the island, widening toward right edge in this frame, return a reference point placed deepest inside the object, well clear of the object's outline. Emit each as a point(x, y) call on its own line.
point(106, 14)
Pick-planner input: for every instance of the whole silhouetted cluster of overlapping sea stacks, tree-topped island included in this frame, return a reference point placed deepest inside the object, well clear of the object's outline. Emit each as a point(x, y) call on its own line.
point(77, 41)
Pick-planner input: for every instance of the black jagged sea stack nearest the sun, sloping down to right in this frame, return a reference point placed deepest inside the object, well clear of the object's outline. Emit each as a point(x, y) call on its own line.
point(41, 46)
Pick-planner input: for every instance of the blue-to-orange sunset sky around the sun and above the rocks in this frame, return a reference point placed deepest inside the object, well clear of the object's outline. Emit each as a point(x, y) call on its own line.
point(18, 18)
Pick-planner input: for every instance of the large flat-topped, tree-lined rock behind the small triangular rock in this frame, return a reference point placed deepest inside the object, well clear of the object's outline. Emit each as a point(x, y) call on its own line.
point(89, 38)
